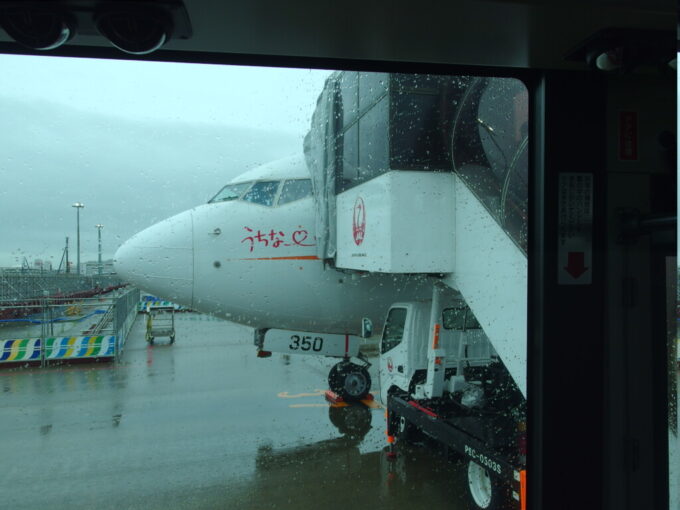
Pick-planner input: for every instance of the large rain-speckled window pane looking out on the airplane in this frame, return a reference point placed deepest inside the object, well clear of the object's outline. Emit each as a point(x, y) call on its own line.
point(195, 285)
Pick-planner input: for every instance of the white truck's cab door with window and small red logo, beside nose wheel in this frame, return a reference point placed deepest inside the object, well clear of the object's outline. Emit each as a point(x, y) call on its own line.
point(394, 353)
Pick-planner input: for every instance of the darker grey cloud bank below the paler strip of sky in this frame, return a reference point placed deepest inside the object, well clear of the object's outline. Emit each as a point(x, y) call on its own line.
point(128, 173)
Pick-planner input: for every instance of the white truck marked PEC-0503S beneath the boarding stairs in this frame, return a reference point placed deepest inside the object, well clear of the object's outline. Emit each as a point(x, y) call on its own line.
point(442, 381)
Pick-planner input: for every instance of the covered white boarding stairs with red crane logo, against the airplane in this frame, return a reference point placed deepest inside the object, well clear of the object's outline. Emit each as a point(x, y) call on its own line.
point(428, 174)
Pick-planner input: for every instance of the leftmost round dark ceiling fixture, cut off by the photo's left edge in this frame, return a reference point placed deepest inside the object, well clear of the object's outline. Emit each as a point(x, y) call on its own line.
point(37, 27)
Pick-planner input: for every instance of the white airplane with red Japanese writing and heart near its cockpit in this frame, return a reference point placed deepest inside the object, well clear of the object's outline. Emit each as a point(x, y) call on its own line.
point(249, 256)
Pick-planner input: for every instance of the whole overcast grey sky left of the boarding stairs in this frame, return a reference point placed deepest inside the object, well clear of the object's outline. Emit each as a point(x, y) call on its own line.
point(134, 141)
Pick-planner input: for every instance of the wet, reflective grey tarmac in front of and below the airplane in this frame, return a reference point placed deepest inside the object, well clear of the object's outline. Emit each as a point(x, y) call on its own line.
point(201, 424)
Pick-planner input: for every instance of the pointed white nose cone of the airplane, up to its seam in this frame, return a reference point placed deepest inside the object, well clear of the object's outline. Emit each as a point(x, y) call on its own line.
point(160, 259)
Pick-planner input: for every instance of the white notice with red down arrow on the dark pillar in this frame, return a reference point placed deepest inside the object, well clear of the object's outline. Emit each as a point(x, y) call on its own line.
point(575, 229)
